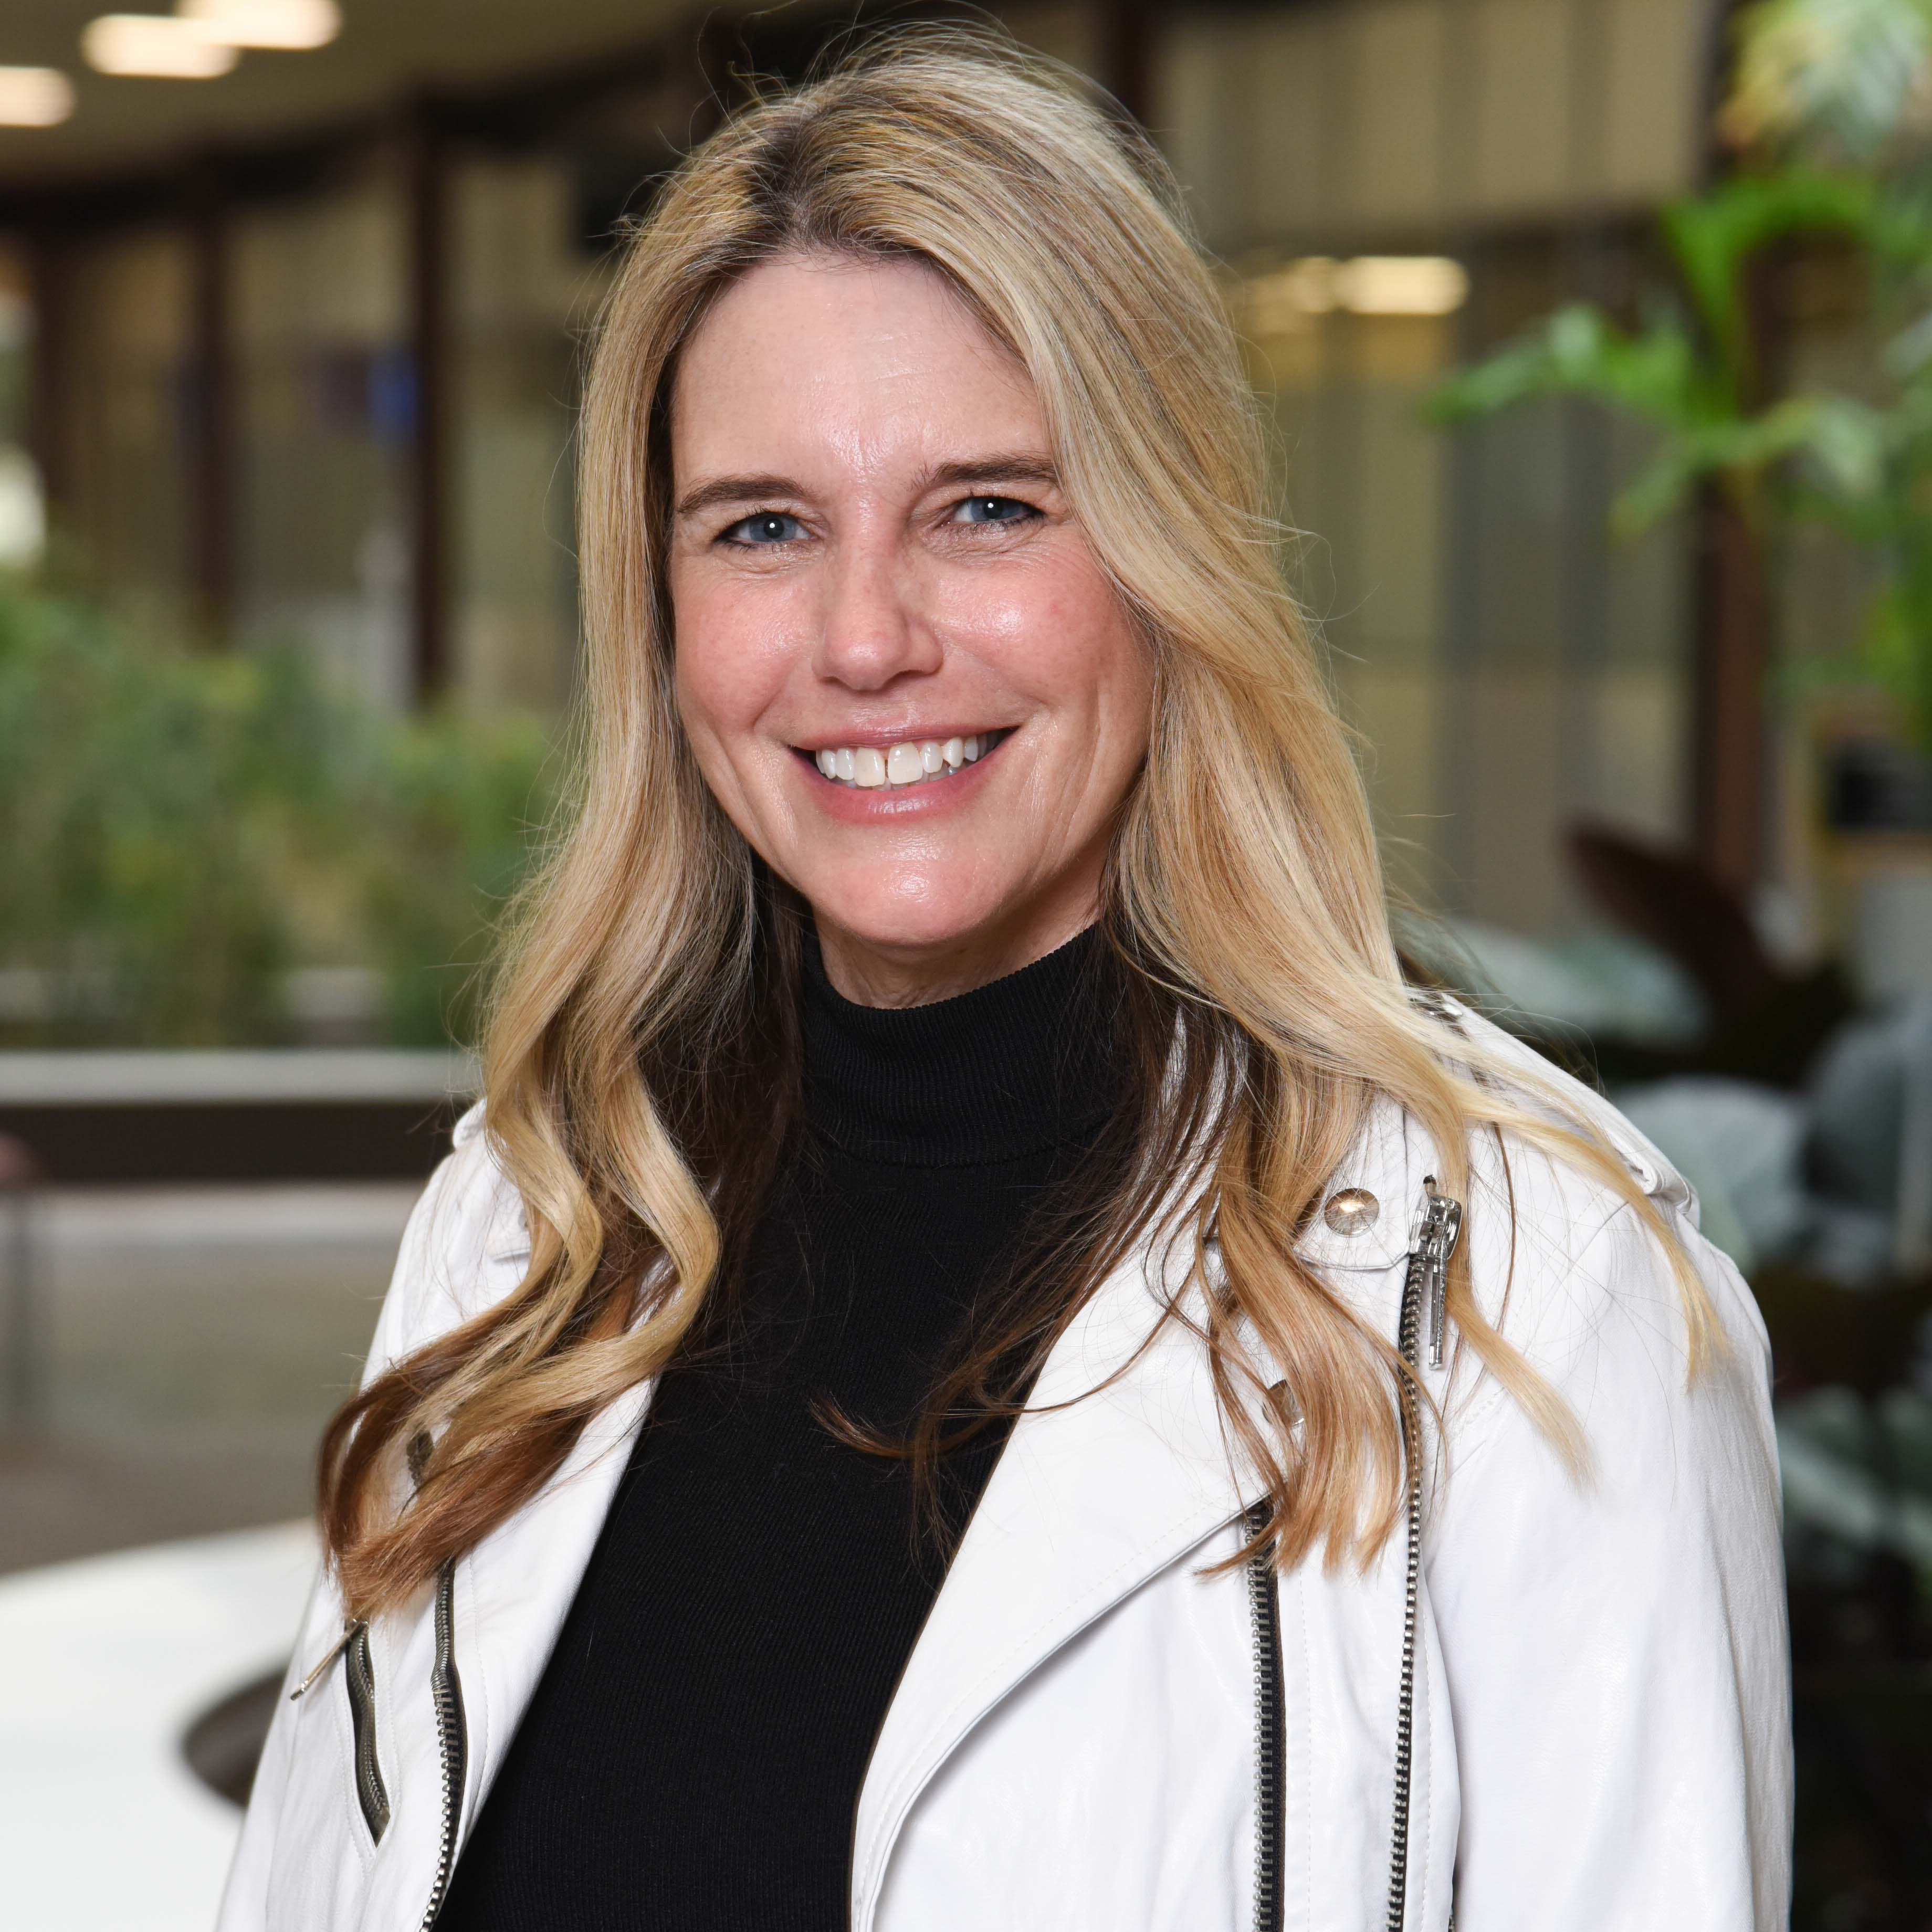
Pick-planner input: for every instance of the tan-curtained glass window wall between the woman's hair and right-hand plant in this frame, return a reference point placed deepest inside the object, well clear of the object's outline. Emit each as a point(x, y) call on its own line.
point(1392, 183)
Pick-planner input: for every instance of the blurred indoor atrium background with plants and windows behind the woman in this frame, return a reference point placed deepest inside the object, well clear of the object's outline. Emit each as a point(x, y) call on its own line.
point(1599, 343)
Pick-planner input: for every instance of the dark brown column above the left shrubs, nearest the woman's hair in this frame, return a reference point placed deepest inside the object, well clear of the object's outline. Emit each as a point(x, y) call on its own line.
point(430, 351)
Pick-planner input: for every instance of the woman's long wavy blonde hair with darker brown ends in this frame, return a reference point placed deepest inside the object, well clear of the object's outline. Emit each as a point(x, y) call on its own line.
point(642, 1050)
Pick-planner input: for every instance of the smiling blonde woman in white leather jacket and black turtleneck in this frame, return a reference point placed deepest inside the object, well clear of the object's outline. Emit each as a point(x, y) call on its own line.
point(984, 1361)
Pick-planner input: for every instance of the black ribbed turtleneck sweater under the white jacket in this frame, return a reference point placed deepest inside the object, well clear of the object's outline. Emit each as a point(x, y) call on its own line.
point(695, 1751)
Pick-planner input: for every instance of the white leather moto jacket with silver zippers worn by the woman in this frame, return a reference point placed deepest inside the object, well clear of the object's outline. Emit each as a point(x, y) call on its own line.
point(1564, 1711)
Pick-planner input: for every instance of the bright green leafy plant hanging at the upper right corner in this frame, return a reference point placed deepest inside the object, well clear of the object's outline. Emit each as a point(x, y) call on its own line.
point(1829, 92)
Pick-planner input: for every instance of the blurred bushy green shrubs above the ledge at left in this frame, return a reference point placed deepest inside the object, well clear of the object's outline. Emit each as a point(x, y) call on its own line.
point(186, 828)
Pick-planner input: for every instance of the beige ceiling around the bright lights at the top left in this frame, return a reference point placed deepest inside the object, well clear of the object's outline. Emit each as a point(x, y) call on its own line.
point(387, 51)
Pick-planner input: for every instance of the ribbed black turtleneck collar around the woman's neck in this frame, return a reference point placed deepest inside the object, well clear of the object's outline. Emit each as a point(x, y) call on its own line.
point(1011, 1069)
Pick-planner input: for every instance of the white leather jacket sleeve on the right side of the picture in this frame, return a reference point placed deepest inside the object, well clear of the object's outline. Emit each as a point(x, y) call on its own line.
point(1616, 1647)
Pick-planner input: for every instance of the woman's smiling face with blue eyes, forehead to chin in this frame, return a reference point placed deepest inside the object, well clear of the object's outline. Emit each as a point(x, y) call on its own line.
point(901, 668)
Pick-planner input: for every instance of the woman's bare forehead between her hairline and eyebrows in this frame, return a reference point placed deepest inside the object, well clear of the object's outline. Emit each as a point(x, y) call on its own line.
point(834, 360)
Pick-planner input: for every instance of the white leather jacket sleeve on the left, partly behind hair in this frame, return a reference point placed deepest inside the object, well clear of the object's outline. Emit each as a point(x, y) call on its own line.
point(246, 1902)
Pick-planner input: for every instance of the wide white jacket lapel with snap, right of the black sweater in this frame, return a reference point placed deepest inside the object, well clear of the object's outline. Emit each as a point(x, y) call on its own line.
point(1118, 1469)
